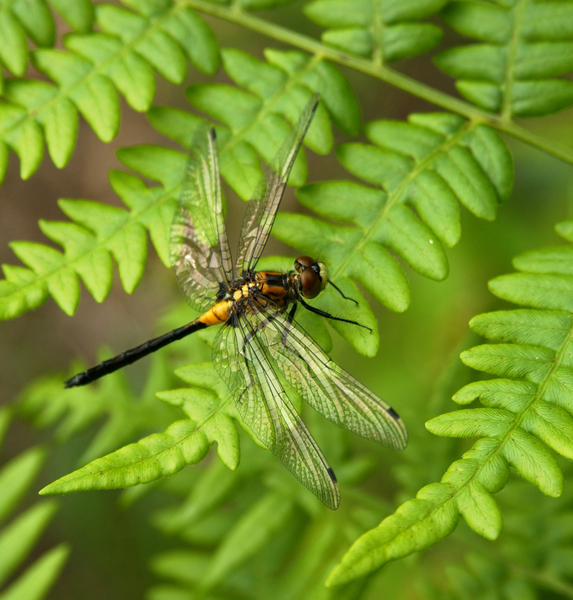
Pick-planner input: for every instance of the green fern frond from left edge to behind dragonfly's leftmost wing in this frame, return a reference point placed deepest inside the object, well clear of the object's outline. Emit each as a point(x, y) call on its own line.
point(98, 233)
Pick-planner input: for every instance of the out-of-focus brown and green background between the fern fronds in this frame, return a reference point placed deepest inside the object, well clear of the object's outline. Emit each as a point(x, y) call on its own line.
point(111, 547)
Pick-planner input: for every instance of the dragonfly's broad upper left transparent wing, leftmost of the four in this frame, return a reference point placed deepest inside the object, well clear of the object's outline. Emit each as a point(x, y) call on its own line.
point(199, 248)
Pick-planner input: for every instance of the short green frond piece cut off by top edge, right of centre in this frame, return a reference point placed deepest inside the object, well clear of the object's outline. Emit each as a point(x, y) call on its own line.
point(384, 31)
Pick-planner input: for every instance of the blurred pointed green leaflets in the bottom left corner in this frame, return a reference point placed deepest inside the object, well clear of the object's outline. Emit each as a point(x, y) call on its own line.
point(20, 535)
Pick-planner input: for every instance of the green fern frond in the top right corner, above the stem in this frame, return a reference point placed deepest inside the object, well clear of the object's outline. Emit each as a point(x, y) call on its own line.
point(523, 47)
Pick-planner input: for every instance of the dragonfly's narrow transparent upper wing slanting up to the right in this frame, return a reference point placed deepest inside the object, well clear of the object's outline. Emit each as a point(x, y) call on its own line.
point(263, 206)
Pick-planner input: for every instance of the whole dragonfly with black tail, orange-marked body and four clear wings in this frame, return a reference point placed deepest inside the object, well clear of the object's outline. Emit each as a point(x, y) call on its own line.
point(259, 336)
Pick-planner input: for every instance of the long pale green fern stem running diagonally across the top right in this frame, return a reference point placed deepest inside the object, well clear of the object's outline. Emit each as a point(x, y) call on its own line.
point(420, 90)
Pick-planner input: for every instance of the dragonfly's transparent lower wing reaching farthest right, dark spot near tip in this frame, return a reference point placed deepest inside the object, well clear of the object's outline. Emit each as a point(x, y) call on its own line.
point(328, 388)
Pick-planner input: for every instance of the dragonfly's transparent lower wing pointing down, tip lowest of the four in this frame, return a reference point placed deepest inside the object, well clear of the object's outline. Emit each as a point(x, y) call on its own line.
point(265, 408)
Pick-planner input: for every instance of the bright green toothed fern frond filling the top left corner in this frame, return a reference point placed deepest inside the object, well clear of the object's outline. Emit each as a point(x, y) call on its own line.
point(124, 56)
